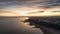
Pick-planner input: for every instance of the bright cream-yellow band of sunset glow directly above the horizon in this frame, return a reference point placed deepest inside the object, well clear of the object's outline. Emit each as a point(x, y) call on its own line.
point(30, 12)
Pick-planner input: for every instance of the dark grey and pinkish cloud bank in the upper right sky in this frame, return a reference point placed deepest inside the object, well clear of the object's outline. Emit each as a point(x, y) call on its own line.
point(46, 4)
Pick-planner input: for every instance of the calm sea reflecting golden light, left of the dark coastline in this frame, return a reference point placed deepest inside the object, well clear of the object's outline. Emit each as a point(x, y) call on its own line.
point(15, 25)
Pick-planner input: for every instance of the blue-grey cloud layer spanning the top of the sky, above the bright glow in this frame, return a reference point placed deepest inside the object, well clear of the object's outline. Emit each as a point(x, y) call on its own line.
point(31, 3)
